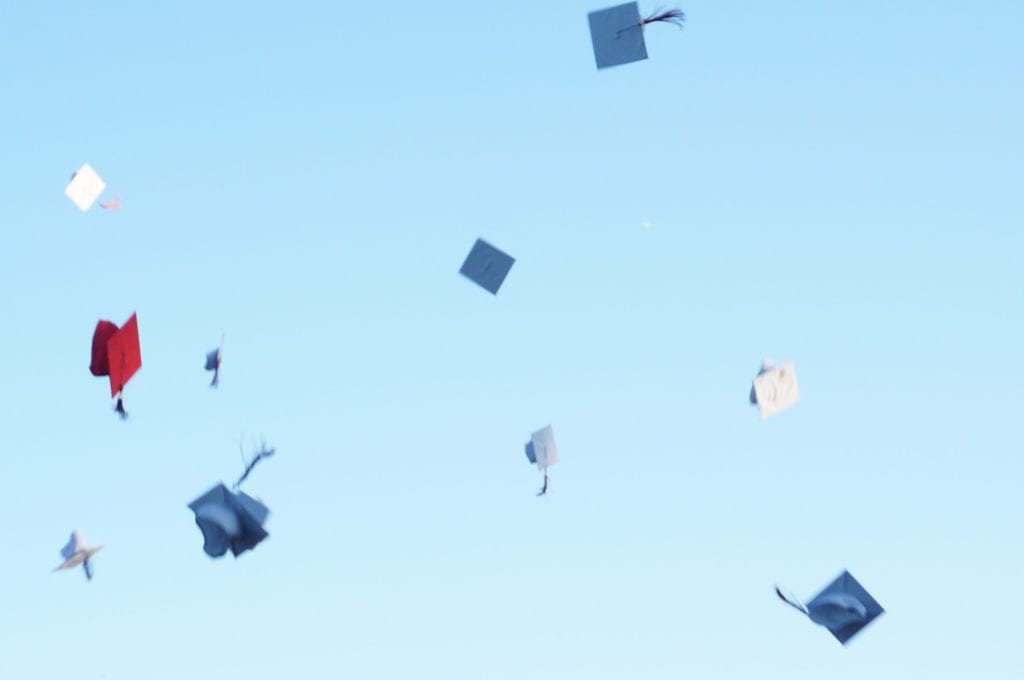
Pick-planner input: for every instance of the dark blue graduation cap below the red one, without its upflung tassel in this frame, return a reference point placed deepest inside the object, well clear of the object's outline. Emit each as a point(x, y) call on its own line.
point(230, 521)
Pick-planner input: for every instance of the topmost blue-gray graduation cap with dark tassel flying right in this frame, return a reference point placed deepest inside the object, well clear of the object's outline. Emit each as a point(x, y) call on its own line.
point(617, 33)
